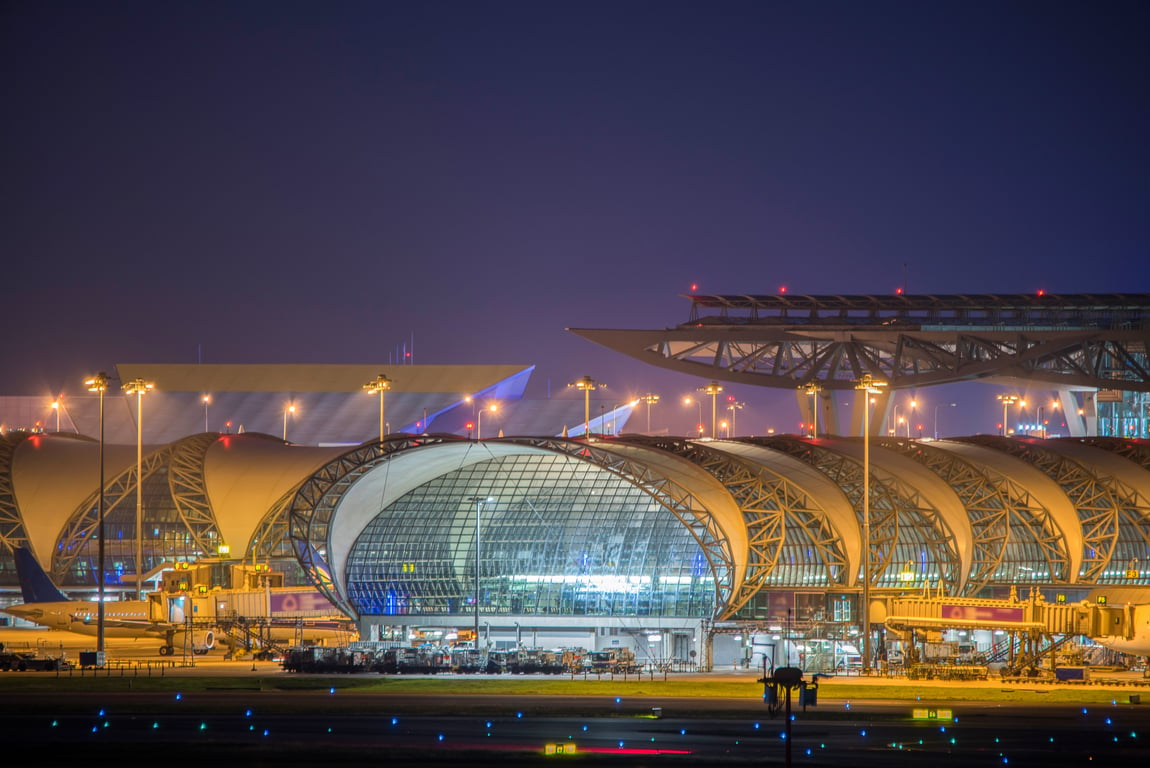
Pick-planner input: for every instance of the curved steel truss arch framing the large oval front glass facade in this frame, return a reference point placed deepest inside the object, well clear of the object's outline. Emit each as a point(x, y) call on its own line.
point(313, 508)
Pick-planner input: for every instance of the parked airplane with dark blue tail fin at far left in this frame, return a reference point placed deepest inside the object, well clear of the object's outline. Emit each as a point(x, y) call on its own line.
point(45, 605)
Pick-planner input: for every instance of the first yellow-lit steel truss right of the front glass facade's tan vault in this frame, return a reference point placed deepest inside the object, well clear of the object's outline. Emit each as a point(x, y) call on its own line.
point(776, 512)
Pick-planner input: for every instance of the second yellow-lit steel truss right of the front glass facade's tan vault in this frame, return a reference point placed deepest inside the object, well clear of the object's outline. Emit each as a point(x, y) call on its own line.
point(899, 513)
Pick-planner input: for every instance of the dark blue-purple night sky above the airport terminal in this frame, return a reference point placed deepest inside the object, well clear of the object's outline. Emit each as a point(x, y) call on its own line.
point(327, 182)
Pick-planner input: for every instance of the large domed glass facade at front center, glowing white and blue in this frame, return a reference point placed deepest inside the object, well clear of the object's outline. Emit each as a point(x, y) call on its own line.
point(557, 536)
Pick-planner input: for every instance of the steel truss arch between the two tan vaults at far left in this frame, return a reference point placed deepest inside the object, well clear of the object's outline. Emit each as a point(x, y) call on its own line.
point(185, 465)
